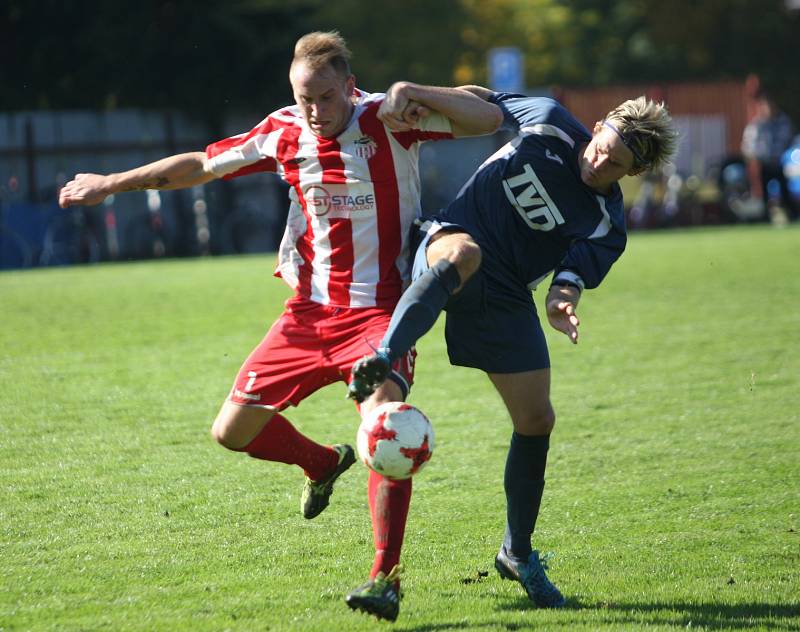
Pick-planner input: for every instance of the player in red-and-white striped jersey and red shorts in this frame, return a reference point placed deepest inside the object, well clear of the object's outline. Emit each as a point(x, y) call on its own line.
point(354, 191)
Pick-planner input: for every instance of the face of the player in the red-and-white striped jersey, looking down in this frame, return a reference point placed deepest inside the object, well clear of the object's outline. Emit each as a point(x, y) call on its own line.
point(324, 98)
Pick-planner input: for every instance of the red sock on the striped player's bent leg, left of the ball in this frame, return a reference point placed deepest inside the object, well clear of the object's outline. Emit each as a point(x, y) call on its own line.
point(280, 441)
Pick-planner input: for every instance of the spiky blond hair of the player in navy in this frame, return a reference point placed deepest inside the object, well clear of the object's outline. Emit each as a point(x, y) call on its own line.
point(647, 130)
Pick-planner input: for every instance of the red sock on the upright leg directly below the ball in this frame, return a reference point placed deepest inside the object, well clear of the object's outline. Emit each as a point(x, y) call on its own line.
point(389, 501)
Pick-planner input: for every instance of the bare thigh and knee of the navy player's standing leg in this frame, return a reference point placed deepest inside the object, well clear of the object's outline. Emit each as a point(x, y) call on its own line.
point(527, 398)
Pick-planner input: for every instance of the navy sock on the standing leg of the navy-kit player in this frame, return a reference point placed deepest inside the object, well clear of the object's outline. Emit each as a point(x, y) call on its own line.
point(524, 484)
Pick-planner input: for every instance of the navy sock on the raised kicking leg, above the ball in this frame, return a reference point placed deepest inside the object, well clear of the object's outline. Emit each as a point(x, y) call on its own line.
point(419, 307)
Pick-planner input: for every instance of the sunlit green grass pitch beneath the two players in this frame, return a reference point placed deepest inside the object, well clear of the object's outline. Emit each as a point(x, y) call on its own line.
point(673, 495)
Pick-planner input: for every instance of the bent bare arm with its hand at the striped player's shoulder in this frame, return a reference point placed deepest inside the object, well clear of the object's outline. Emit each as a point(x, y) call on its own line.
point(469, 114)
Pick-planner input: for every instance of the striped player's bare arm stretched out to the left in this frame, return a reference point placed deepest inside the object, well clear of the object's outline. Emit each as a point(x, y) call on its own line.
point(175, 172)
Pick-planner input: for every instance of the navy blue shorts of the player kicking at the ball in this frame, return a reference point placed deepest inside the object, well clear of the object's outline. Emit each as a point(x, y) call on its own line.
point(488, 325)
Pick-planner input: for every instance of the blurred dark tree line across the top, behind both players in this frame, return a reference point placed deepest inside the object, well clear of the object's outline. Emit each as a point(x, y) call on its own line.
point(209, 58)
